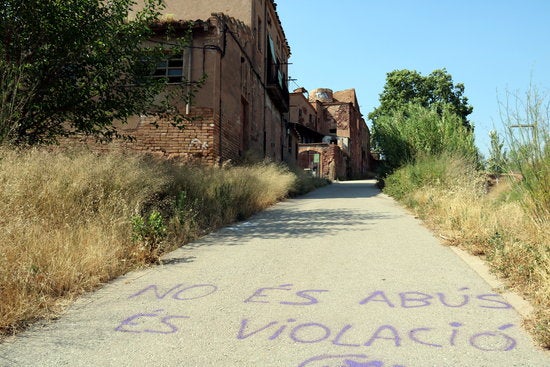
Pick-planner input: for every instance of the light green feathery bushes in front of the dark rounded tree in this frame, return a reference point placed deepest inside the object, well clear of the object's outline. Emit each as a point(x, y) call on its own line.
point(414, 131)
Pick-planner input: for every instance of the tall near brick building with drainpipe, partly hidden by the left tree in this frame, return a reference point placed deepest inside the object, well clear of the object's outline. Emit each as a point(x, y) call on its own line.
point(241, 47)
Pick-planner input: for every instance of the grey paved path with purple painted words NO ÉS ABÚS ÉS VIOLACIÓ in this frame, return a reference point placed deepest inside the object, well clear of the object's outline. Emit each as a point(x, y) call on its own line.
point(342, 277)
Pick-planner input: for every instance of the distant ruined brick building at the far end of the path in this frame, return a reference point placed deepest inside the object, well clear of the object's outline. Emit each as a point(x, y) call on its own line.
point(334, 140)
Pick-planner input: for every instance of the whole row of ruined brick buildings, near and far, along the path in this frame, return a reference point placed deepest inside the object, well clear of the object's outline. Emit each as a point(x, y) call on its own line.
point(244, 106)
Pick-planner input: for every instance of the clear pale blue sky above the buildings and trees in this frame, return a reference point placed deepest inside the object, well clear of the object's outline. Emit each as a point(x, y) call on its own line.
point(491, 46)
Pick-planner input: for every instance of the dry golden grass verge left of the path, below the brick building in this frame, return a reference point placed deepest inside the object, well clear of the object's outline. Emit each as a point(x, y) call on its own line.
point(72, 220)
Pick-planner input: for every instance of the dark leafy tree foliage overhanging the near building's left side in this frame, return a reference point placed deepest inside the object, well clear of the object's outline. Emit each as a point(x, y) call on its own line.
point(75, 66)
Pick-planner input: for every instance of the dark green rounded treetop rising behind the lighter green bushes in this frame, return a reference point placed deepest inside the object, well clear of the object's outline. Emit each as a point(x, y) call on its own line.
point(436, 90)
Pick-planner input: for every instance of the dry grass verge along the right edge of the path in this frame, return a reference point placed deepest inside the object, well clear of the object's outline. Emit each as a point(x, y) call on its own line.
point(503, 224)
